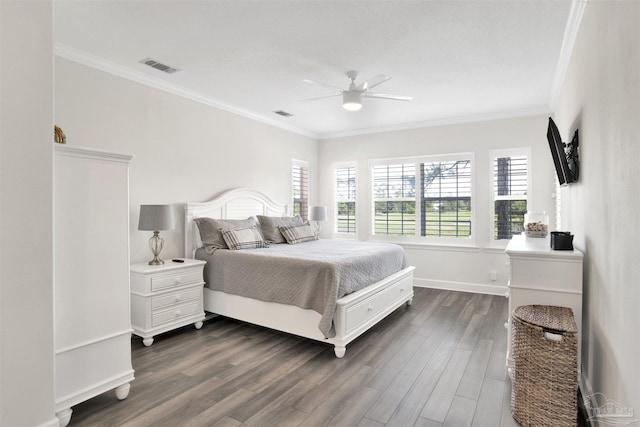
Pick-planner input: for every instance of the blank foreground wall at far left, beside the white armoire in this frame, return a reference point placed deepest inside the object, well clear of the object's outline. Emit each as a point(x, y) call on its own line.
point(26, 212)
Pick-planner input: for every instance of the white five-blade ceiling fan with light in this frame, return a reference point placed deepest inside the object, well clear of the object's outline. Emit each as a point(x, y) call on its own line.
point(352, 97)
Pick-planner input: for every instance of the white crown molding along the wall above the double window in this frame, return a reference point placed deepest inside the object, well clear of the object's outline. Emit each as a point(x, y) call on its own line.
point(445, 121)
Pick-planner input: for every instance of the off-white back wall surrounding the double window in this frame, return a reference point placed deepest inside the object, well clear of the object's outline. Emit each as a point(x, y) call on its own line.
point(440, 266)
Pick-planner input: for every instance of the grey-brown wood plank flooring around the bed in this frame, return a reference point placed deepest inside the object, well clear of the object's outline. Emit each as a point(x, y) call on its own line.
point(440, 362)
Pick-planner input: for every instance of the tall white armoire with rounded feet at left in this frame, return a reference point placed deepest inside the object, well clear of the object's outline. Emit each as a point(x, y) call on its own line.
point(92, 323)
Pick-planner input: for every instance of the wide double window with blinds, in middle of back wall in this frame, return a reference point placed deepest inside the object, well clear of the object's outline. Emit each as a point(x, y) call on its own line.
point(424, 197)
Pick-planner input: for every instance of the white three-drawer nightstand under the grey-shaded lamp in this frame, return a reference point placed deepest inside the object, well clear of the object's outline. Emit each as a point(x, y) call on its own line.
point(166, 297)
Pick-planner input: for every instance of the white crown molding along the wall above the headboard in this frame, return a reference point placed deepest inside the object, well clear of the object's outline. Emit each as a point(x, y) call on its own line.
point(101, 64)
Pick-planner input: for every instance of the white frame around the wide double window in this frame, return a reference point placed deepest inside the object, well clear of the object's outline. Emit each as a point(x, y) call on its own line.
point(416, 238)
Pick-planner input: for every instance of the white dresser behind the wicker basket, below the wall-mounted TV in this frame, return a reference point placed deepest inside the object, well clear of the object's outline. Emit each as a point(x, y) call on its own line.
point(540, 275)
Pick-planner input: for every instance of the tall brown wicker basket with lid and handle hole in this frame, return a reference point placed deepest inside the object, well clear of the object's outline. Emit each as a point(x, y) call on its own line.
point(545, 376)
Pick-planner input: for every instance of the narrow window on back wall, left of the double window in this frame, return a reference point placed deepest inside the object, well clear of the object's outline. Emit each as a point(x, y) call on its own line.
point(345, 199)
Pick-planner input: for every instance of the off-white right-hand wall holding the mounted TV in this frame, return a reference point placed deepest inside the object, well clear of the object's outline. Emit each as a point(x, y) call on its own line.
point(601, 97)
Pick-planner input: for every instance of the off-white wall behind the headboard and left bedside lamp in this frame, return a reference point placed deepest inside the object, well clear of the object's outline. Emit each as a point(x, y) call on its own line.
point(184, 151)
